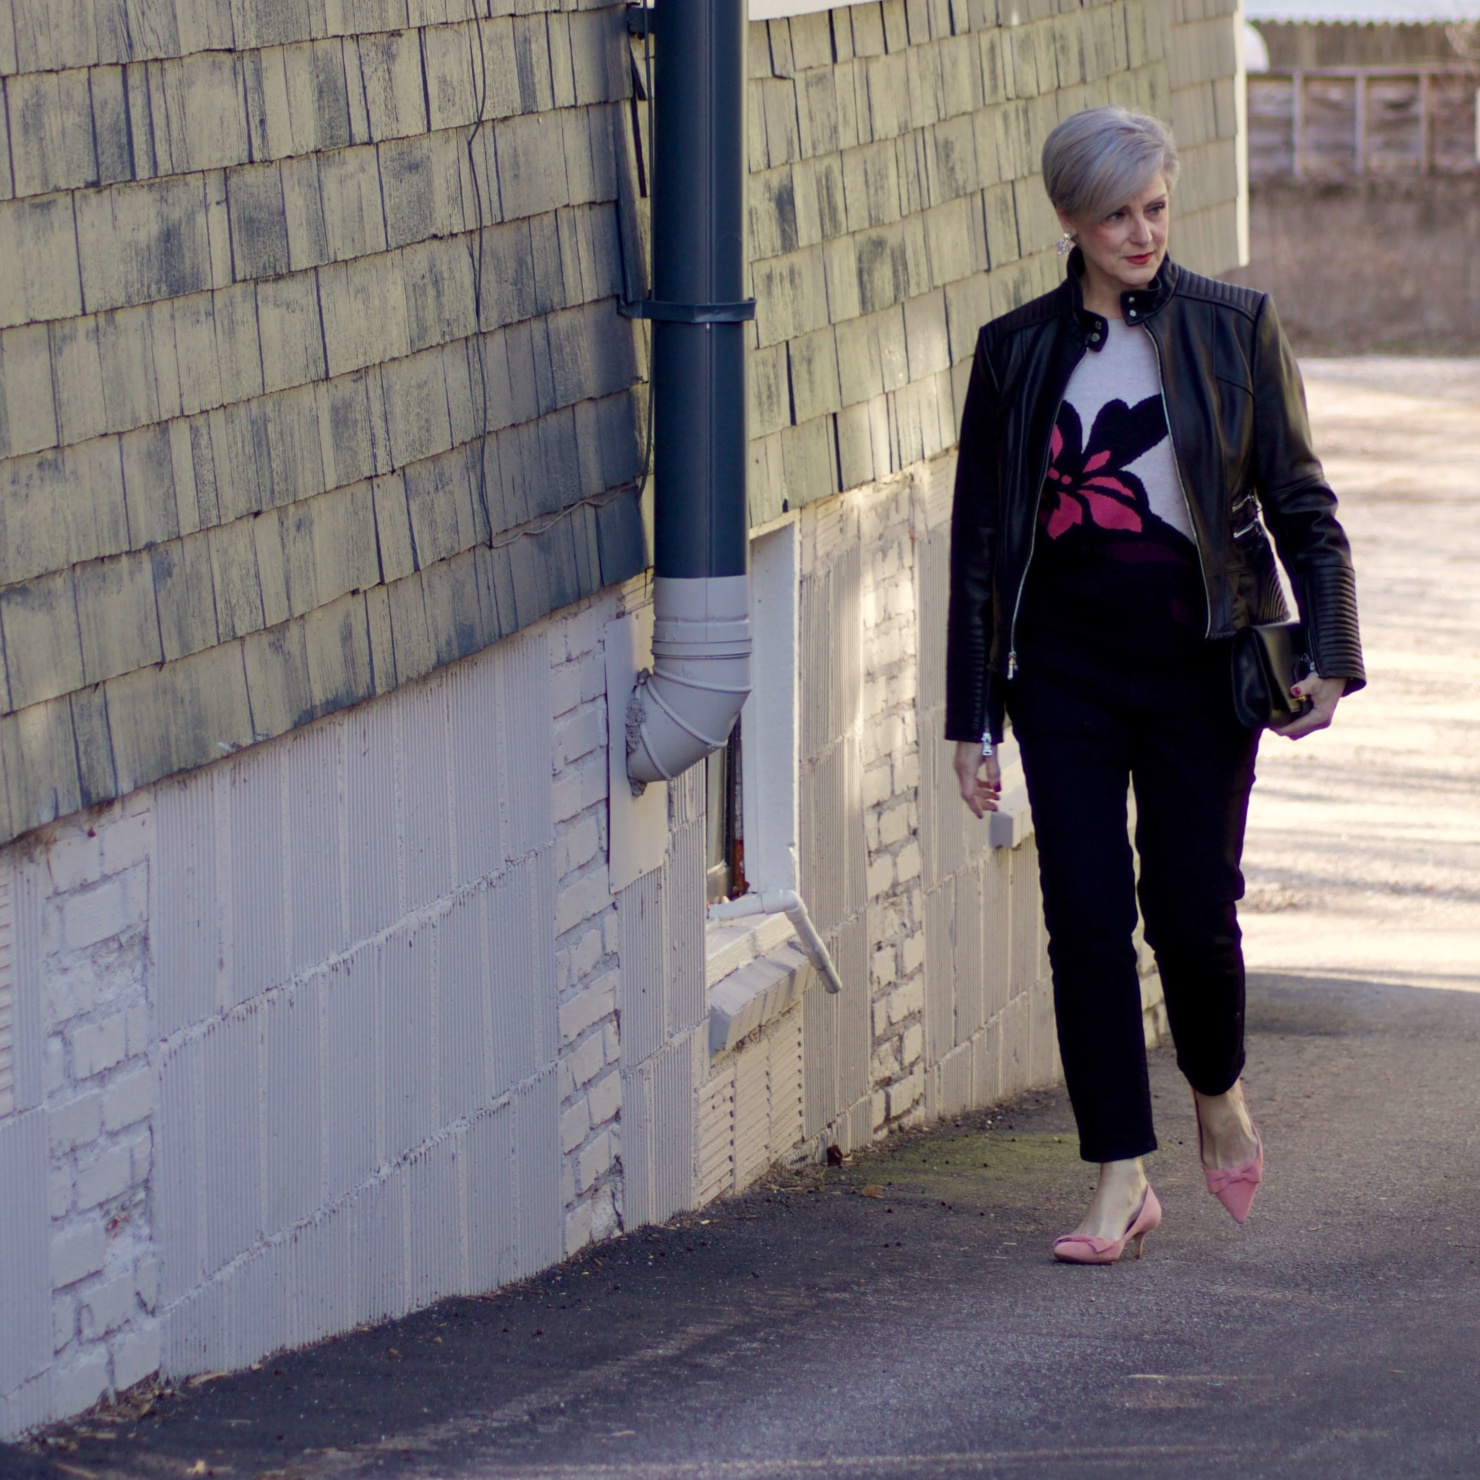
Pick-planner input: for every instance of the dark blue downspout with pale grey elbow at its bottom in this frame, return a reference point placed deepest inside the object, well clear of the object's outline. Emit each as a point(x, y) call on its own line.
point(687, 705)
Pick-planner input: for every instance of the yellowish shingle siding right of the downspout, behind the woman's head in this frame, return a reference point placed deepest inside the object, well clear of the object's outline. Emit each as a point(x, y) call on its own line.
point(896, 203)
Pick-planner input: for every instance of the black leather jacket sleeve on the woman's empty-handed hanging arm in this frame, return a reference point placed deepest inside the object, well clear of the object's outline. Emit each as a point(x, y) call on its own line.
point(973, 556)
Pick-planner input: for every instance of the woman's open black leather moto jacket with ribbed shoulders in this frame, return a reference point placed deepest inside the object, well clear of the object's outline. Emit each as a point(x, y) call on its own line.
point(1241, 437)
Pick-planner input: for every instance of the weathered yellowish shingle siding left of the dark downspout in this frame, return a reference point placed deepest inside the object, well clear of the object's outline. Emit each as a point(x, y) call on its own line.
point(263, 291)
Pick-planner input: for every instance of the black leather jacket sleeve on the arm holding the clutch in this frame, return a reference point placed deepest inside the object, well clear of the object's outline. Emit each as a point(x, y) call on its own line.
point(1300, 508)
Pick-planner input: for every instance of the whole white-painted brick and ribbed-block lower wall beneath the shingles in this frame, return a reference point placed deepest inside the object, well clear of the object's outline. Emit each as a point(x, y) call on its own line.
point(183, 1038)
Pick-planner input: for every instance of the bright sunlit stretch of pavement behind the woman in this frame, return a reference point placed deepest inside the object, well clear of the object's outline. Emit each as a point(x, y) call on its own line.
point(1364, 856)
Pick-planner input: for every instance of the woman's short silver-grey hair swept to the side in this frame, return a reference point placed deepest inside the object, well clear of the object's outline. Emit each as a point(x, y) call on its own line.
point(1099, 159)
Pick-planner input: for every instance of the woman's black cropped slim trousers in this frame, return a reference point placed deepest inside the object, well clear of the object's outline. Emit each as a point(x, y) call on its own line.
point(1192, 767)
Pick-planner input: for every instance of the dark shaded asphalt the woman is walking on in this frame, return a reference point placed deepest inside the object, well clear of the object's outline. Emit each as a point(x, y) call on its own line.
point(812, 1330)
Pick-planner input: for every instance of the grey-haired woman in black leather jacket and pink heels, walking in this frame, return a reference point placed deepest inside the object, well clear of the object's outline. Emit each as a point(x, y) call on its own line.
point(1127, 442)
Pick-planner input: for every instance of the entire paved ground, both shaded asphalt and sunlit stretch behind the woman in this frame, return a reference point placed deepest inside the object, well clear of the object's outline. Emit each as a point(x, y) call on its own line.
point(901, 1316)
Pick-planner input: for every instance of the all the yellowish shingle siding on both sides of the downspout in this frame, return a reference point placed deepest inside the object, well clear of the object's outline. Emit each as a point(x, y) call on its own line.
point(312, 381)
